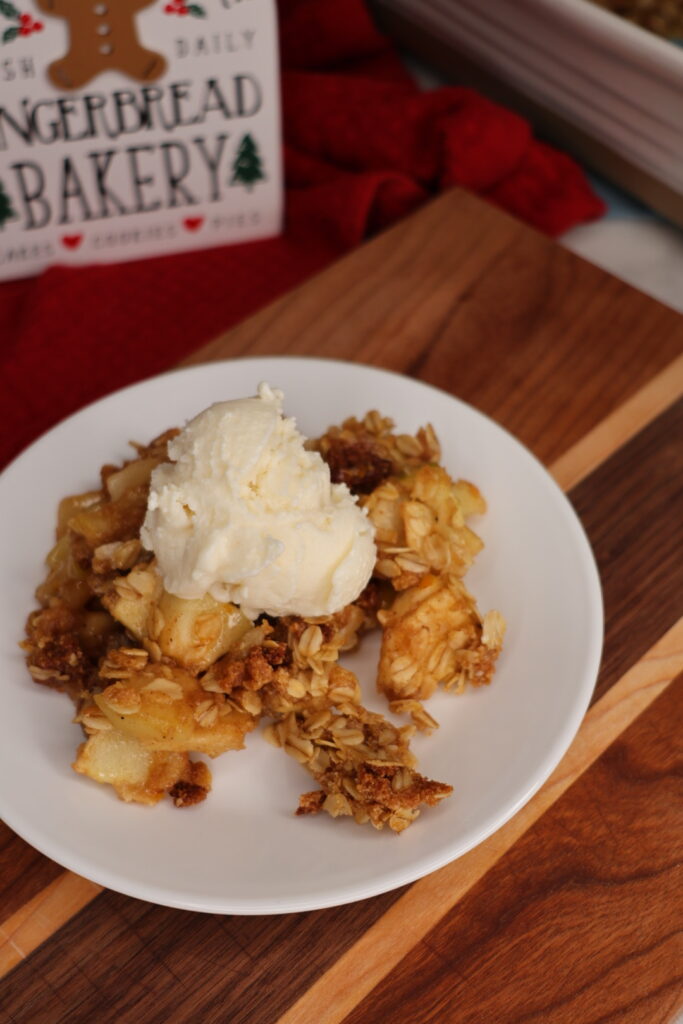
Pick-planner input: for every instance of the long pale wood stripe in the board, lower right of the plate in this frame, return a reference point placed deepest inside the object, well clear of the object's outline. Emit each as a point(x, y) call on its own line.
point(395, 935)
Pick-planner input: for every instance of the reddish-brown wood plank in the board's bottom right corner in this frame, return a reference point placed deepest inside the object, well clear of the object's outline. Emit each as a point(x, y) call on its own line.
point(581, 921)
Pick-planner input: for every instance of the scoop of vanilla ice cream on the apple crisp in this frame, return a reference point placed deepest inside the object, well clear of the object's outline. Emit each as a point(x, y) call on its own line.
point(246, 515)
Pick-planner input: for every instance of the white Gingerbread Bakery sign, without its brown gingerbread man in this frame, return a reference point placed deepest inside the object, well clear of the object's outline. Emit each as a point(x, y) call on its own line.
point(122, 169)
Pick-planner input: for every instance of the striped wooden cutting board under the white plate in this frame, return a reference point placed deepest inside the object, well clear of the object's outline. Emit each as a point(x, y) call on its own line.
point(572, 913)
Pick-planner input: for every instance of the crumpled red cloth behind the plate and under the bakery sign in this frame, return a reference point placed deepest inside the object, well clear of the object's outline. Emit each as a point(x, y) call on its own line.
point(363, 148)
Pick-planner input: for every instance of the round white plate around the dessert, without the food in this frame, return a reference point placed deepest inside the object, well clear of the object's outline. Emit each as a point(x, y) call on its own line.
point(243, 851)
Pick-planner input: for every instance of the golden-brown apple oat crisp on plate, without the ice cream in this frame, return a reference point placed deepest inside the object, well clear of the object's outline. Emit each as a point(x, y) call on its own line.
point(156, 678)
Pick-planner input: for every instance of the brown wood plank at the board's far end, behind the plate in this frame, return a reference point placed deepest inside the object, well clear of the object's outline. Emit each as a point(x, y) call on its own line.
point(466, 298)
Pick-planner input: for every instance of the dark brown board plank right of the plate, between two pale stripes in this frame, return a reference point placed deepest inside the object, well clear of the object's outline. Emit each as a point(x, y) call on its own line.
point(632, 508)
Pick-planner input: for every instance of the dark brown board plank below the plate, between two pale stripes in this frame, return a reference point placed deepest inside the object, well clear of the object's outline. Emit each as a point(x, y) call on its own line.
point(122, 960)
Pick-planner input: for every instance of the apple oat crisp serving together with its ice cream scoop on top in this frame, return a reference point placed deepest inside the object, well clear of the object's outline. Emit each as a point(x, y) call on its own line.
point(211, 584)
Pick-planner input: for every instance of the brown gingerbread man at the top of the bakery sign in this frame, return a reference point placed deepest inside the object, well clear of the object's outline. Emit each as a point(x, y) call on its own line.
point(103, 37)
